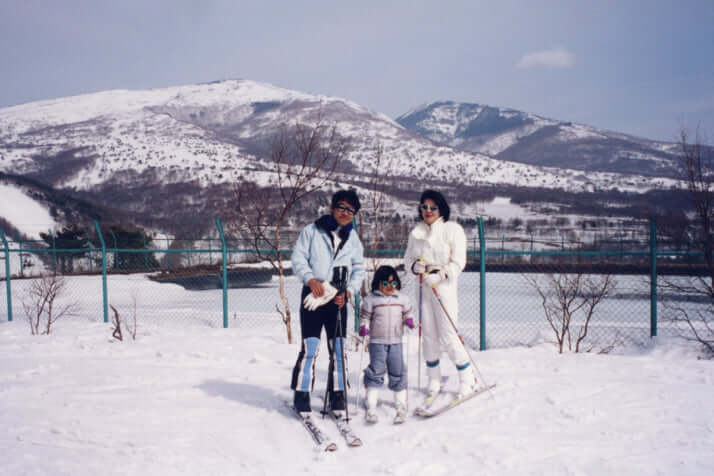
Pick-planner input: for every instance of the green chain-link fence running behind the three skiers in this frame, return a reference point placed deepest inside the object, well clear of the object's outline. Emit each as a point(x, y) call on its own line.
point(503, 294)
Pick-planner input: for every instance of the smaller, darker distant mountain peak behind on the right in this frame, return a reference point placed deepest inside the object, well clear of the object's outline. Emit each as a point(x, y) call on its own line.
point(522, 137)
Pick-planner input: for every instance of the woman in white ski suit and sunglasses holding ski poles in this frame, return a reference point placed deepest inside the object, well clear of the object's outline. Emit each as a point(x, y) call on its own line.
point(437, 250)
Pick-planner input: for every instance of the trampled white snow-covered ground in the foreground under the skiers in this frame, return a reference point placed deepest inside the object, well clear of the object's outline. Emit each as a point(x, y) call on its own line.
point(187, 399)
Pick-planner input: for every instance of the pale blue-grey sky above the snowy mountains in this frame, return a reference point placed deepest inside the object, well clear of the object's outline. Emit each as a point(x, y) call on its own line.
point(640, 67)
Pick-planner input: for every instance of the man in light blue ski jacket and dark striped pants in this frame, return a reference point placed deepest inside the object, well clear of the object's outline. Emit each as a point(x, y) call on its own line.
point(328, 258)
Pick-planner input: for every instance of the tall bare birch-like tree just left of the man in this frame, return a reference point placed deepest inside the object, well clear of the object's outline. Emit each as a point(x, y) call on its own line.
point(303, 160)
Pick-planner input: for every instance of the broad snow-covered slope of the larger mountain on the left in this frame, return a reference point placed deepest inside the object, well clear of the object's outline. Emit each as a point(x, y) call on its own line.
point(217, 132)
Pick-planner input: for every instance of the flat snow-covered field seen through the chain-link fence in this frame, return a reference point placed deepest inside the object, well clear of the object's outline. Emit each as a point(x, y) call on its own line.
point(514, 313)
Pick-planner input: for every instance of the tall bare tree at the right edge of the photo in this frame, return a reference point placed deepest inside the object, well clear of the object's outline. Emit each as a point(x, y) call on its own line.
point(697, 321)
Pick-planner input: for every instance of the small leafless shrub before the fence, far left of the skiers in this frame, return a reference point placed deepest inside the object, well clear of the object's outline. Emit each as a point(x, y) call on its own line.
point(41, 305)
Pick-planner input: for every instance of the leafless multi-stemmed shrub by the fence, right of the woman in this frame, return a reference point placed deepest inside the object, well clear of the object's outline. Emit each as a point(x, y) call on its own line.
point(567, 295)
